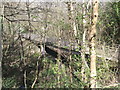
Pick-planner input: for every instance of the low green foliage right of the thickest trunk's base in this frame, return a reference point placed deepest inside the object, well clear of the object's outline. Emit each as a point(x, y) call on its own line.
point(104, 74)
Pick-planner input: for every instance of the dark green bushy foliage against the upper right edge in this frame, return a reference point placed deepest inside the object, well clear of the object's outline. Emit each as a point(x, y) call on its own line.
point(110, 19)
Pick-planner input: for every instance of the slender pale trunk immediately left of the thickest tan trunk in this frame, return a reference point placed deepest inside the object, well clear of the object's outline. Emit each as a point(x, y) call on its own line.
point(84, 47)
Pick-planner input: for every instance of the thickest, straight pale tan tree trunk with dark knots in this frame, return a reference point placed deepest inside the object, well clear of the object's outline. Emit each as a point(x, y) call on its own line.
point(92, 36)
